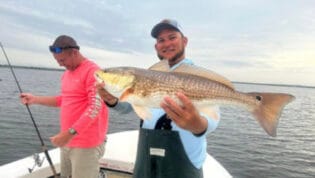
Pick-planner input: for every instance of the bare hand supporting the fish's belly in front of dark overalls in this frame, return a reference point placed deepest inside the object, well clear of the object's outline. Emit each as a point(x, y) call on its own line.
point(185, 115)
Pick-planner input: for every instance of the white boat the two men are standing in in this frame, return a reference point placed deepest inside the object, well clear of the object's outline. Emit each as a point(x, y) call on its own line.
point(117, 162)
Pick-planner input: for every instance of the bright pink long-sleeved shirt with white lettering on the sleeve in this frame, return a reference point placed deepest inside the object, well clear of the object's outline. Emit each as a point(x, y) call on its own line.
point(81, 108)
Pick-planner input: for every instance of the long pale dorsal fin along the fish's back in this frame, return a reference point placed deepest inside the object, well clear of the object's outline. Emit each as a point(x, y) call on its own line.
point(203, 72)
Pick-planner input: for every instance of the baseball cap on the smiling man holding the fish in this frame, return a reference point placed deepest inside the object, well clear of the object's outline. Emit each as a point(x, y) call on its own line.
point(165, 24)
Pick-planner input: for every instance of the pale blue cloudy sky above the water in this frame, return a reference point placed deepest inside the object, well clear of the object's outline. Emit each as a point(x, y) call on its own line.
point(262, 41)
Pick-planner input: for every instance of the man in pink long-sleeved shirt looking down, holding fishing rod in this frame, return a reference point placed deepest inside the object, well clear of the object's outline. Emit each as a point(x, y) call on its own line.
point(83, 115)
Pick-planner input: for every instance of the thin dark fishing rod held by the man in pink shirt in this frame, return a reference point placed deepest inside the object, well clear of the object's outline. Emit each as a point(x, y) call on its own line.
point(44, 147)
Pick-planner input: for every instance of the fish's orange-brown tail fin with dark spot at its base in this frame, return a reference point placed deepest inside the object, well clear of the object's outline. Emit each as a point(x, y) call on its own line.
point(270, 108)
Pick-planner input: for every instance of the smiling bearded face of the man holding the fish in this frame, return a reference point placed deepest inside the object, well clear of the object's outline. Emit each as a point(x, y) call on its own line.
point(170, 45)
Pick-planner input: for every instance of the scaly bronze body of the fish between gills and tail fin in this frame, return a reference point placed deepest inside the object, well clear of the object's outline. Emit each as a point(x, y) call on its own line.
point(194, 87)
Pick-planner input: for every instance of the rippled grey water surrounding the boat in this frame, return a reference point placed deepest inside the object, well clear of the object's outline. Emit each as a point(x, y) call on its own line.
point(239, 143)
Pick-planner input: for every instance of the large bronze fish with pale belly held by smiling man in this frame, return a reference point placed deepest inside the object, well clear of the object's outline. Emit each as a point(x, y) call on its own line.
point(146, 88)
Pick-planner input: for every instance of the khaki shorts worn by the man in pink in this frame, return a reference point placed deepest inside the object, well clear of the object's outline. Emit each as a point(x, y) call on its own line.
point(81, 162)
